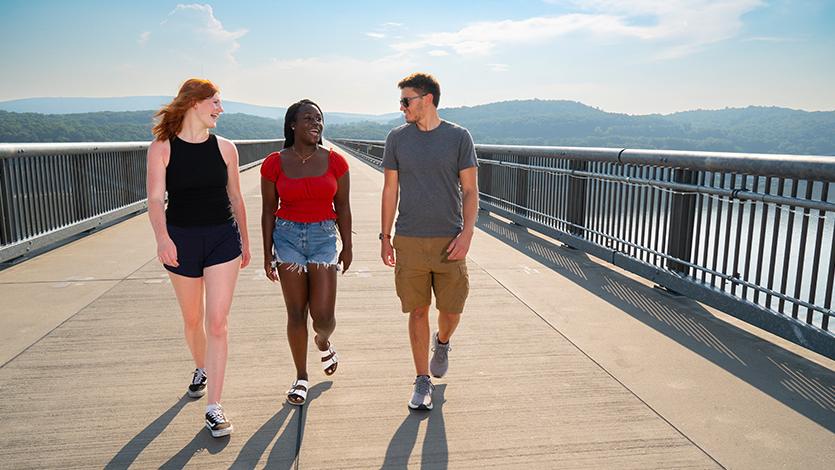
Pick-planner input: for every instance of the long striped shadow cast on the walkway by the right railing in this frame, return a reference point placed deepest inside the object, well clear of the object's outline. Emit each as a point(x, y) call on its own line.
point(802, 385)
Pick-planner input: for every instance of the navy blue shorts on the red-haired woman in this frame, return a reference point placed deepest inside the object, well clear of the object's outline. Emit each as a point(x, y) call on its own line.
point(201, 247)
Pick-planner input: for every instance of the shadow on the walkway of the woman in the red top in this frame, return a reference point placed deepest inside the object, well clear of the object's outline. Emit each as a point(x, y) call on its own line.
point(286, 448)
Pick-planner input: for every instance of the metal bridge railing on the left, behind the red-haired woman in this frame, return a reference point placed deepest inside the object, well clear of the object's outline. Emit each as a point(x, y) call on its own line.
point(50, 192)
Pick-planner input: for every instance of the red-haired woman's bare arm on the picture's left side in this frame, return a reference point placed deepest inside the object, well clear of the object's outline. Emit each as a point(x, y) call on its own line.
point(158, 155)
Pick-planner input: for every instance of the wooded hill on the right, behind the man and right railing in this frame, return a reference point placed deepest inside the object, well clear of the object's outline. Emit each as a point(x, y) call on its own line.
point(568, 123)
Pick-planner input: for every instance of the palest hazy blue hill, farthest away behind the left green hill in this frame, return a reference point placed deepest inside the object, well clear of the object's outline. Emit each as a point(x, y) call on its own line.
point(61, 105)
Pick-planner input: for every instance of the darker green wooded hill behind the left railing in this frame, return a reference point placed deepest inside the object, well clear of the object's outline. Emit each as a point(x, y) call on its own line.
point(118, 127)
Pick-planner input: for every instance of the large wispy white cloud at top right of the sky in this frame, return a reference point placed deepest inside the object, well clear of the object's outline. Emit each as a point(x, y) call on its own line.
point(679, 27)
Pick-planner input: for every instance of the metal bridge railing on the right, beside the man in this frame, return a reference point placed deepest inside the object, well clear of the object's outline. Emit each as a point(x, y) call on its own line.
point(750, 234)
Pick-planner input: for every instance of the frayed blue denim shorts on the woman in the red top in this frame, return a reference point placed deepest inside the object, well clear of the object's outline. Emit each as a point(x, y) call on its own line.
point(300, 244)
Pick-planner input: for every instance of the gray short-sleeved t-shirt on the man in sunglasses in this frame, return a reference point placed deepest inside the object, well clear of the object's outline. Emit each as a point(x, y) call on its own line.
point(427, 165)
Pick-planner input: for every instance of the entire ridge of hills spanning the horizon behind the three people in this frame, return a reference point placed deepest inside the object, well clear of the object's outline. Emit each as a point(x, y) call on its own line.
point(754, 129)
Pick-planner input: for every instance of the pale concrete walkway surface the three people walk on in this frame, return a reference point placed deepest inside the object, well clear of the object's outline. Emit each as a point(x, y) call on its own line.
point(560, 361)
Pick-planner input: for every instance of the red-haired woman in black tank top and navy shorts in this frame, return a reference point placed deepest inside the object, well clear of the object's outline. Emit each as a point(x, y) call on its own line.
point(201, 236)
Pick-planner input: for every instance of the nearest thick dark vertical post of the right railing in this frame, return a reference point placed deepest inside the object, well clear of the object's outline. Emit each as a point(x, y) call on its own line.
point(682, 223)
